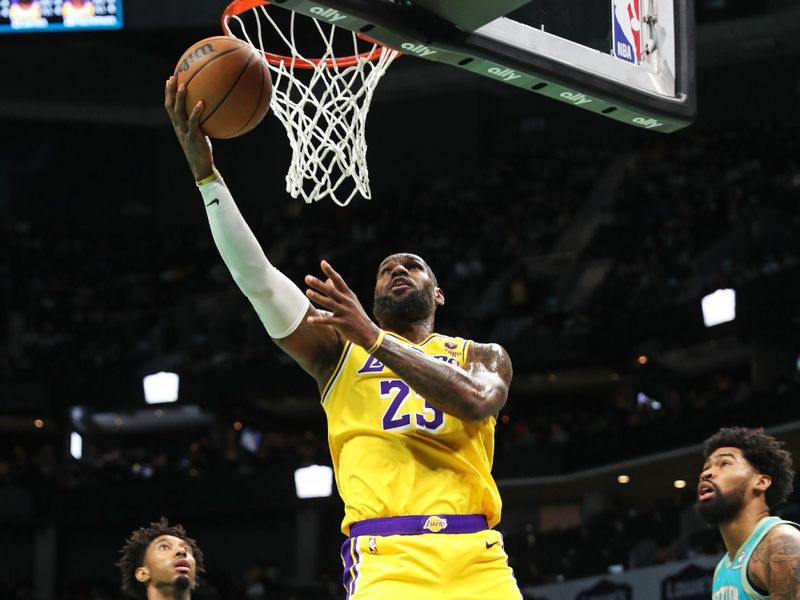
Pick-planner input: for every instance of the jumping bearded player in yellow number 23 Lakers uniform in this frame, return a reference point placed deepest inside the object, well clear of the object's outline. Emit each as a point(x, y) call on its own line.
point(411, 413)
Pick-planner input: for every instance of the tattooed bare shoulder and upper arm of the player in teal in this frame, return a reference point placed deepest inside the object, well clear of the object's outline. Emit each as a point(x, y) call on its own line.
point(779, 557)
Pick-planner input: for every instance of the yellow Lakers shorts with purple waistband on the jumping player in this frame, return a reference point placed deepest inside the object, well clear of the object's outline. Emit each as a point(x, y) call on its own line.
point(443, 557)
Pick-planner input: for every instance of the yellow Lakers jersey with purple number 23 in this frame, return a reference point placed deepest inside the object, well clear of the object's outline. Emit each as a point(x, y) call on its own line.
point(393, 453)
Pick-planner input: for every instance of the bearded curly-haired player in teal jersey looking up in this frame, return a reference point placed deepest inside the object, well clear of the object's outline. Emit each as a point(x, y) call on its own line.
point(746, 474)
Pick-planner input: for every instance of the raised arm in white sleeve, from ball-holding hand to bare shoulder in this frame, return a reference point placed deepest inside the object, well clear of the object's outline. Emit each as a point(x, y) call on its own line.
point(280, 304)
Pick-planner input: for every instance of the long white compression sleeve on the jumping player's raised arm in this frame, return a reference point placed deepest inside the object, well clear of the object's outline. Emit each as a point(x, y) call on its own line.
point(279, 303)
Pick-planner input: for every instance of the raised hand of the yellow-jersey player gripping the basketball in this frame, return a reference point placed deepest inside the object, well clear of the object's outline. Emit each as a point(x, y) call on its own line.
point(196, 145)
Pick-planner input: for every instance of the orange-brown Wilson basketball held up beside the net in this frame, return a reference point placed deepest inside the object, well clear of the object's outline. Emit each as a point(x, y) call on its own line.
point(233, 80)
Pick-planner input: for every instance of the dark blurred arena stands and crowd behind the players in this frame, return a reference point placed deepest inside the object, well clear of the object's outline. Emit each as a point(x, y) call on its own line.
point(582, 245)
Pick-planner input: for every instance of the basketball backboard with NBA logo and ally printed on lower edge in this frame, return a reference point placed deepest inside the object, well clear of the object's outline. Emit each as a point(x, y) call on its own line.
point(628, 60)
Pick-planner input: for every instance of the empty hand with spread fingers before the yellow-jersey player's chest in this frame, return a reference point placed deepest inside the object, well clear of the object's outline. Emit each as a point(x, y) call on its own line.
point(347, 315)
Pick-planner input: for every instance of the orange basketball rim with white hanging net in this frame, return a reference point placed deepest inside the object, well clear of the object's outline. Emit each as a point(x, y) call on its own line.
point(322, 102)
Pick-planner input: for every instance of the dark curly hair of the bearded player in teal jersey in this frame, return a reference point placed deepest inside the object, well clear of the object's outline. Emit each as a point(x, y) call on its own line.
point(767, 455)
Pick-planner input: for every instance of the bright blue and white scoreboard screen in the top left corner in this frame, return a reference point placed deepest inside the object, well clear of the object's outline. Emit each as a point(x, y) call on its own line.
point(26, 16)
